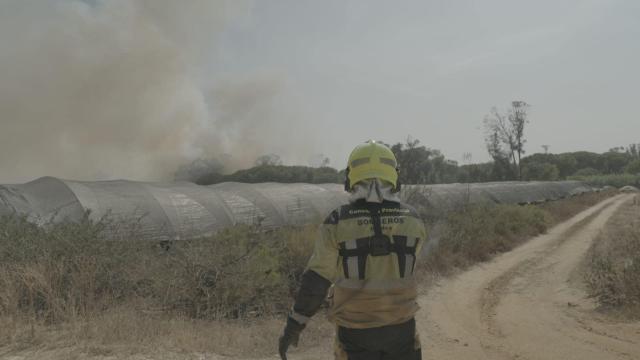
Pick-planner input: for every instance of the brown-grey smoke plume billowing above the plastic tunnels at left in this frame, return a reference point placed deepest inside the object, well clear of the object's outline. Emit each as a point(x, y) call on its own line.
point(105, 89)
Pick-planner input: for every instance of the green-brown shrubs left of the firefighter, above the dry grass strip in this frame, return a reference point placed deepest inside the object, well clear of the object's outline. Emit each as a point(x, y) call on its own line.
point(66, 271)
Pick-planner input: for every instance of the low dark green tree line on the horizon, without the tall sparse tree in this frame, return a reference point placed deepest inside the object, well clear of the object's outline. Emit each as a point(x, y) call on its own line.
point(422, 165)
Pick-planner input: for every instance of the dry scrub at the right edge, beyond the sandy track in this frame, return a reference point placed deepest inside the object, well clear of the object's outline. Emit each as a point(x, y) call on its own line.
point(613, 263)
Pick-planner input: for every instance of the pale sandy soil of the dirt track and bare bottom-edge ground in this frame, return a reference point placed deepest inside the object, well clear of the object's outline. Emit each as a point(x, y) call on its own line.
point(525, 304)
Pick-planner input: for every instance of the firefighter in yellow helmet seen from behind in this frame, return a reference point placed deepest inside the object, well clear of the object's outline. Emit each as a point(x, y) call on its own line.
point(367, 250)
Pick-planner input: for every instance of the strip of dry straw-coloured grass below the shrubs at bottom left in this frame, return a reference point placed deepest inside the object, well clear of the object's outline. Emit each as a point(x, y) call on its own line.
point(132, 331)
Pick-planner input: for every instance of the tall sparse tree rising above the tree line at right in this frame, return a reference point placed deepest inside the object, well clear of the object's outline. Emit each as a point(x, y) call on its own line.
point(508, 129)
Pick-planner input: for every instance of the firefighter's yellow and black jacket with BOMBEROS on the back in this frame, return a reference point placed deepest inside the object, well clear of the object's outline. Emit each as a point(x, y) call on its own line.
point(368, 252)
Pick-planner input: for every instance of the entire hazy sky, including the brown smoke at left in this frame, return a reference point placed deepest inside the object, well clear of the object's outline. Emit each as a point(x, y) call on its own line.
point(105, 89)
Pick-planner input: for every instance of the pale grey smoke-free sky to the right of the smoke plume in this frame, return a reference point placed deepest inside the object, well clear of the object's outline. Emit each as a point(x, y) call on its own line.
point(433, 69)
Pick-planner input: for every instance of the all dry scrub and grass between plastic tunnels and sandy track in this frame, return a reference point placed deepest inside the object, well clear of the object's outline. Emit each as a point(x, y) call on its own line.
point(209, 295)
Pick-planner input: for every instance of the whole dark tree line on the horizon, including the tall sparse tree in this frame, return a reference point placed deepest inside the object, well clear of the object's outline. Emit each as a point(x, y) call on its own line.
point(505, 142)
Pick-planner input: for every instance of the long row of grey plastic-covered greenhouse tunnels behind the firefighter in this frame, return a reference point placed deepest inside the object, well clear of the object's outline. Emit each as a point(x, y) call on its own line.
point(174, 211)
